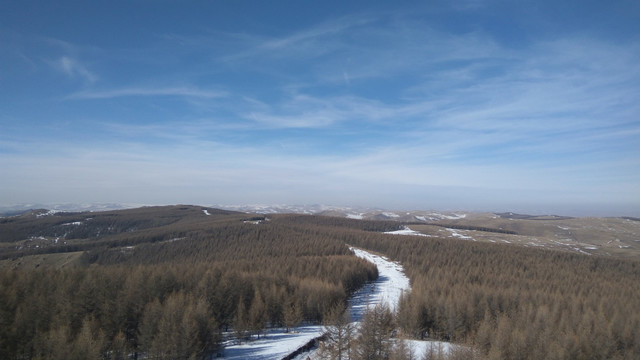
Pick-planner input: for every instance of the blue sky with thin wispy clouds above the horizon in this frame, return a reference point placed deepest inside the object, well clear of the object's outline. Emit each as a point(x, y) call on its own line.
point(528, 106)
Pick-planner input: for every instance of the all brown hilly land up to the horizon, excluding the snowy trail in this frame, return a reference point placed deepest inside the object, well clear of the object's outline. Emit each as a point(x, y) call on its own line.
point(181, 279)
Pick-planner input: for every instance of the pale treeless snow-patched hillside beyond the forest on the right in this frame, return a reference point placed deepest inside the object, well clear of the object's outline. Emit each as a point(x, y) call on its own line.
point(609, 236)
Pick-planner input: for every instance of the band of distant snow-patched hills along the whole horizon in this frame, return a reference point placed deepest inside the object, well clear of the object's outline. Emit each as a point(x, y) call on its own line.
point(603, 236)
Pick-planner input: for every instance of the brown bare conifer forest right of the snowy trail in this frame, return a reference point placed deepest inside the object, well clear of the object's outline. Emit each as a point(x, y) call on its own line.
point(517, 303)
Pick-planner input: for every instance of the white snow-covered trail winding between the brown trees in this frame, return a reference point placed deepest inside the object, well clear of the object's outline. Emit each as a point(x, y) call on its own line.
point(387, 288)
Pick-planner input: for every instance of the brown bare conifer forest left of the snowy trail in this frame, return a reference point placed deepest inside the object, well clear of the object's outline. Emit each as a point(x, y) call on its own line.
point(174, 296)
